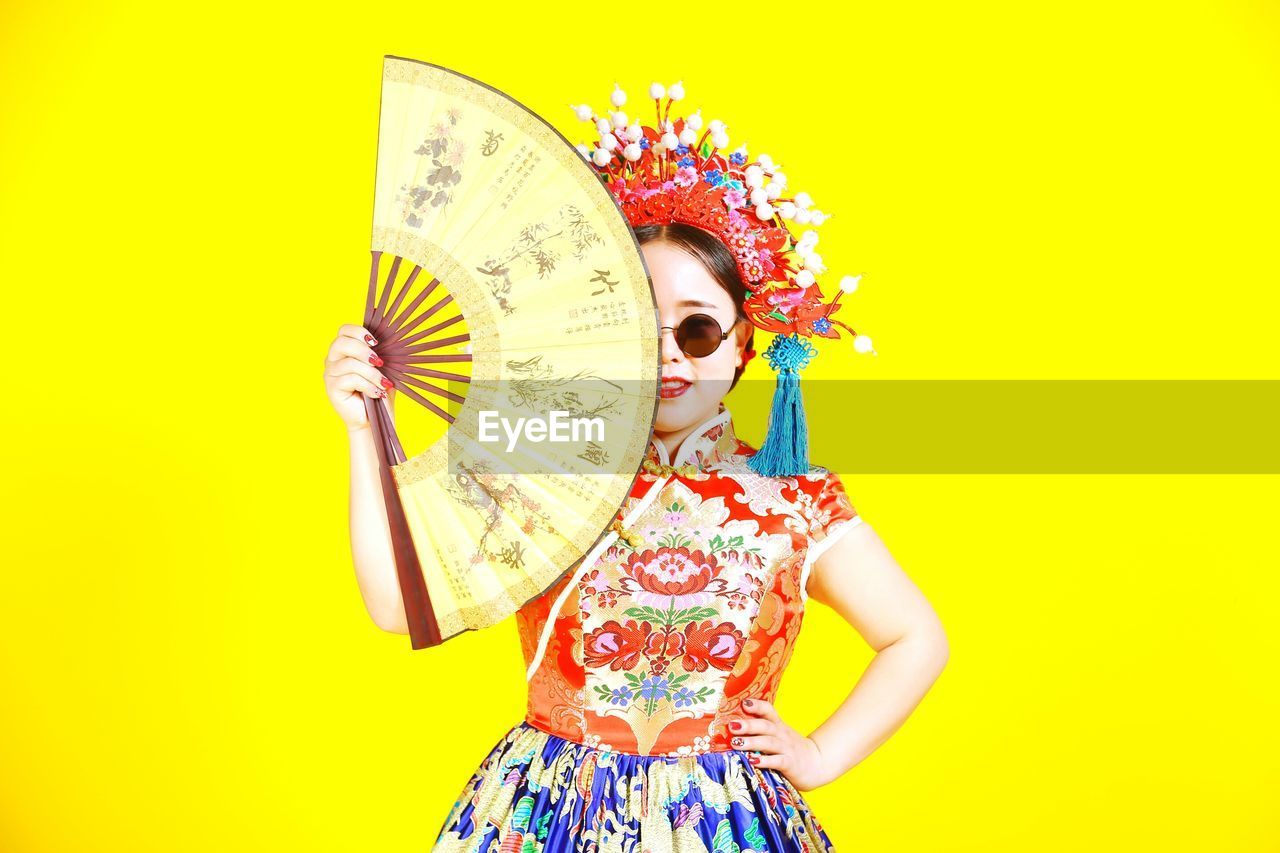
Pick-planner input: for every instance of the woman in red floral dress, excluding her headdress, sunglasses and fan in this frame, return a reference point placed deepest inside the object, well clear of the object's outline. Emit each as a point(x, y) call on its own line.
point(551, 779)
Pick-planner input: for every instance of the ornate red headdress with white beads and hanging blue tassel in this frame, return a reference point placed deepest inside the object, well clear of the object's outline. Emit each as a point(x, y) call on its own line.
point(670, 174)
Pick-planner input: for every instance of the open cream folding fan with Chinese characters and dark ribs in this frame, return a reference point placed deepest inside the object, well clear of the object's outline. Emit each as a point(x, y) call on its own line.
point(528, 286)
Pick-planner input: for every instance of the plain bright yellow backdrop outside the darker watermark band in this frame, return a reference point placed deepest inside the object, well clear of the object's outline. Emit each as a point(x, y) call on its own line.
point(1072, 191)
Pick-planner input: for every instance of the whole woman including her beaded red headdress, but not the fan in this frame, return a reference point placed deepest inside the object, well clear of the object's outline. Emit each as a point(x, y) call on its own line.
point(652, 674)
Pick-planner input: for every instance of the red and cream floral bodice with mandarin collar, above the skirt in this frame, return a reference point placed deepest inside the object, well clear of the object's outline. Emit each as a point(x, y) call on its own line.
point(656, 646)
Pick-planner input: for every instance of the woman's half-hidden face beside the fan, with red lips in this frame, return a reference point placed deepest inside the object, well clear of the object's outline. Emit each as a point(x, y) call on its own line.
point(692, 389)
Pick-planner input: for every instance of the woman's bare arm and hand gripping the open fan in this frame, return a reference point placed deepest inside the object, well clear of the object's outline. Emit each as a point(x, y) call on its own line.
point(350, 376)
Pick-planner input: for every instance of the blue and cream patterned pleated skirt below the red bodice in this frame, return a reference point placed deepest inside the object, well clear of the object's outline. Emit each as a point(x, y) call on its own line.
point(541, 793)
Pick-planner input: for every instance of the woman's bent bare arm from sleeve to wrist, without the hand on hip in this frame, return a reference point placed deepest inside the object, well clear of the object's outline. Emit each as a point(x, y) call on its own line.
point(861, 581)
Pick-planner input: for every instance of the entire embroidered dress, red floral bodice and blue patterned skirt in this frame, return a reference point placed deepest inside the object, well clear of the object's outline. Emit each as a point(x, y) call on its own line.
point(639, 659)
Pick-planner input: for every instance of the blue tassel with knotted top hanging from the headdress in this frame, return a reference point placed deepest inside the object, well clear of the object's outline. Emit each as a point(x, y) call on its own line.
point(785, 451)
